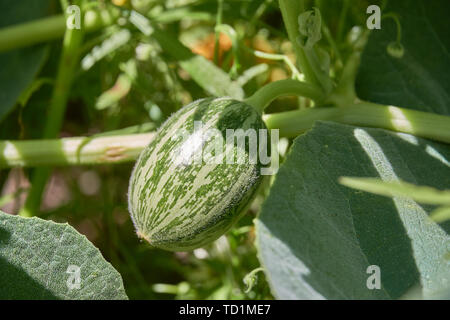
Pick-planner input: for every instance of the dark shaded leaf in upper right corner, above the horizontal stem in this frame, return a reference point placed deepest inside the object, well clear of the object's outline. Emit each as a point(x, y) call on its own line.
point(421, 78)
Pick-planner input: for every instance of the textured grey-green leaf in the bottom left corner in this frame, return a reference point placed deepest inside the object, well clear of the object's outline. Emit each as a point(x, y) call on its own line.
point(38, 259)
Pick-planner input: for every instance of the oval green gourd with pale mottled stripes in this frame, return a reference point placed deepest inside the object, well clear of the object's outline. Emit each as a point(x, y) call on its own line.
point(179, 203)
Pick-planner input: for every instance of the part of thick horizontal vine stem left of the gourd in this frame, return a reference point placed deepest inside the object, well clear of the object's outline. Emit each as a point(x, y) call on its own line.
point(73, 151)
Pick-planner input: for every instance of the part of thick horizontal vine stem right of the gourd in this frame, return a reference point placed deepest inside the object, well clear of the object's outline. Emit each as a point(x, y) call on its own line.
point(365, 114)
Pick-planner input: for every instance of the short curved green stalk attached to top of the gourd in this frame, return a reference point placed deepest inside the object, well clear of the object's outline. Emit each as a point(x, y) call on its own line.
point(264, 96)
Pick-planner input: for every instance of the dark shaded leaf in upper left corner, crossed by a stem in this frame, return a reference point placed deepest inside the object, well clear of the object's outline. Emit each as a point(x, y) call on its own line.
point(19, 67)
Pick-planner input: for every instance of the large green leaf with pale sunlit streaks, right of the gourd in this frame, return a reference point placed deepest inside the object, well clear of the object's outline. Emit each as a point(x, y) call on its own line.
point(316, 238)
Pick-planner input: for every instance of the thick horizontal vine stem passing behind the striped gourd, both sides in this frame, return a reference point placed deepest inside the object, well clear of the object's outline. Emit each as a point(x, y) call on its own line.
point(123, 148)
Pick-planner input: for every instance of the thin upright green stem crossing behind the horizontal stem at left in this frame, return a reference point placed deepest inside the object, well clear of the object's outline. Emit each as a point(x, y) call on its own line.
point(67, 65)
